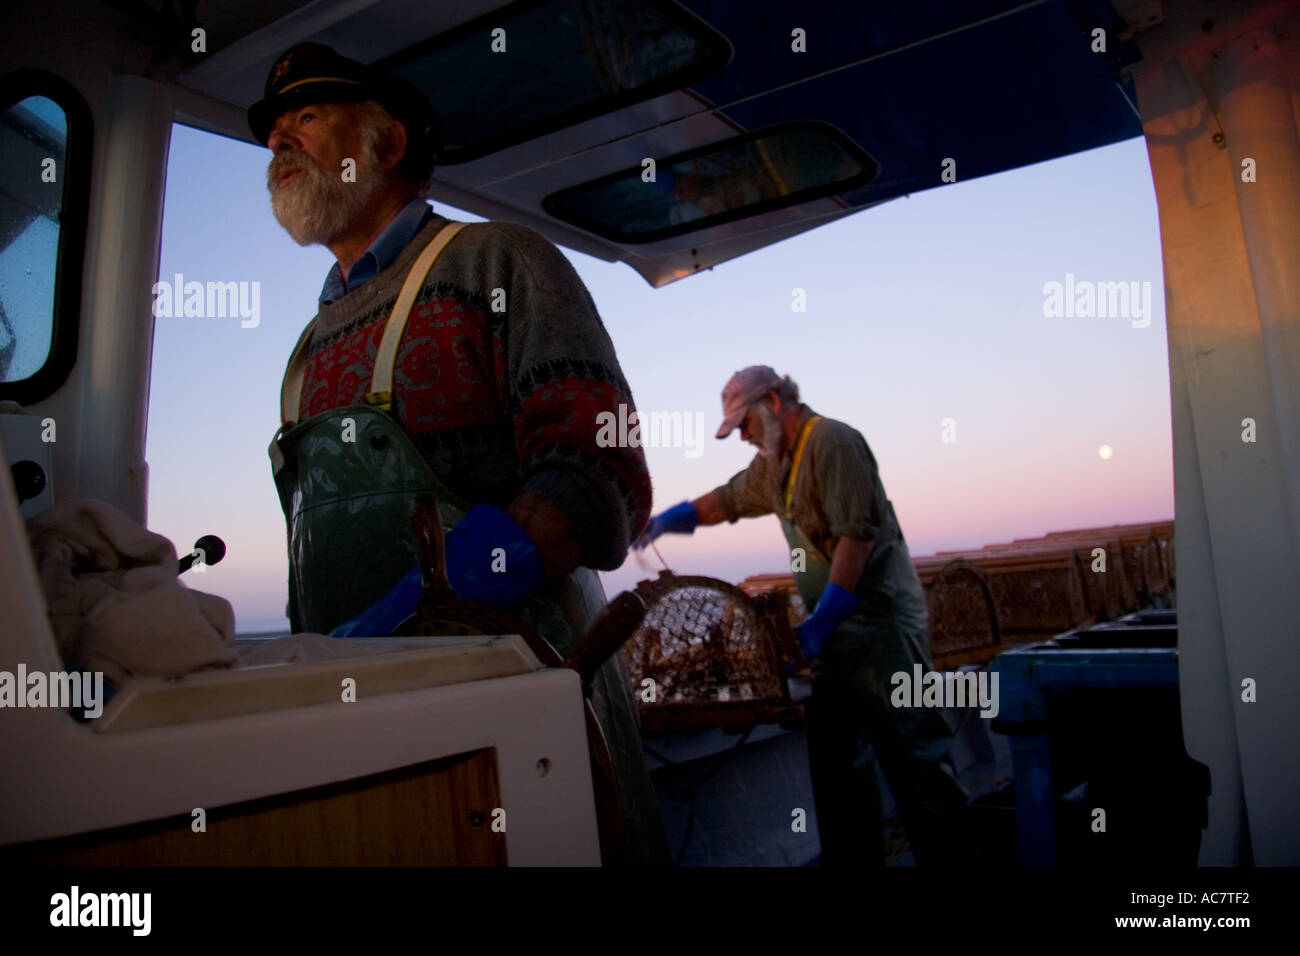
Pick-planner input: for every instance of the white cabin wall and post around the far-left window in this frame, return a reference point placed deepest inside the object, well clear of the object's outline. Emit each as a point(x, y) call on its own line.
point(101, 410)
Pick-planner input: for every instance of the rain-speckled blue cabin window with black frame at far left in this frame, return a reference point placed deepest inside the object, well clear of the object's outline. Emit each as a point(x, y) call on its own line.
point(44, 188)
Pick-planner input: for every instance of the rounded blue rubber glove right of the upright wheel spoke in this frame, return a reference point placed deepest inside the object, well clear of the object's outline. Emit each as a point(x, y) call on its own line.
point(478, 574)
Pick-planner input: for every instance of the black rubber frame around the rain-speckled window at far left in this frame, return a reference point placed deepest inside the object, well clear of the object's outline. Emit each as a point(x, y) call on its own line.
point(73, 217)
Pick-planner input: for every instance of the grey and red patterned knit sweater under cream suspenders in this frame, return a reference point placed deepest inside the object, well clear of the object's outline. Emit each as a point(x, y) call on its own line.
point(497, 400)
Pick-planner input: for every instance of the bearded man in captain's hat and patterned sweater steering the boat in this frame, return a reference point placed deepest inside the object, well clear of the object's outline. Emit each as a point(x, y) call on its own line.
point(462, 361)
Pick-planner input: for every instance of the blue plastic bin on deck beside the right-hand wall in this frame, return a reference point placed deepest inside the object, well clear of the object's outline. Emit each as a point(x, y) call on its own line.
point(1094, 726)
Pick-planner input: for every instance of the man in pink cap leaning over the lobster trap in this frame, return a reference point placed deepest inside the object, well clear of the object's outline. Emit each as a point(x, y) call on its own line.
point(869, 621)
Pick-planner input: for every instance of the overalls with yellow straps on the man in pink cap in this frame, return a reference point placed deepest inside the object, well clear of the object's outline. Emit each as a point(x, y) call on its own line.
point(851, 721)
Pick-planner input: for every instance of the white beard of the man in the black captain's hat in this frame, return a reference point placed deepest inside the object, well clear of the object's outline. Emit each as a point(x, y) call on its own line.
point(317, 207)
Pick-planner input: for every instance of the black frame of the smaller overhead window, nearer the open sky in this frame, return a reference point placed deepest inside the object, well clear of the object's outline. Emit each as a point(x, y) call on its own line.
point(870, 171)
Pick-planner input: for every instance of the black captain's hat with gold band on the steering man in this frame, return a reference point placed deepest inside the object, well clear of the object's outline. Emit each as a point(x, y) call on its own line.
point(315, 73)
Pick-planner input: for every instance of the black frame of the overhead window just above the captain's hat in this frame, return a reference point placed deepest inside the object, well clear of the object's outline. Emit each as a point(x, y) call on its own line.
point(716, 49)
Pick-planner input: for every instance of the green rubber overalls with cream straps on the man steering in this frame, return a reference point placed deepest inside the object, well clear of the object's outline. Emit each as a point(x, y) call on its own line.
point(346, 479)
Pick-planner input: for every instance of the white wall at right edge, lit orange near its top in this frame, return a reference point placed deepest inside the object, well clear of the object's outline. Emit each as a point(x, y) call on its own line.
point(1220, 84)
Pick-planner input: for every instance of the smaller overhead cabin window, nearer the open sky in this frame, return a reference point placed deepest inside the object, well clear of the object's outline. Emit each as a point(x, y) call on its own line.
point(742, 178)
